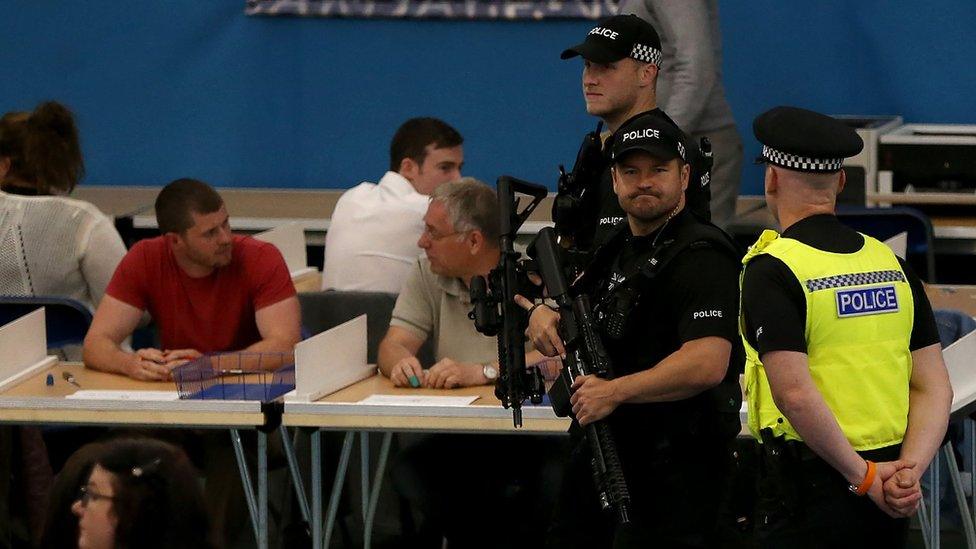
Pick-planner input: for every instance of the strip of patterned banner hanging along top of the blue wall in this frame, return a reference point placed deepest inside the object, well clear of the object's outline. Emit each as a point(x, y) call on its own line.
point(437, 9)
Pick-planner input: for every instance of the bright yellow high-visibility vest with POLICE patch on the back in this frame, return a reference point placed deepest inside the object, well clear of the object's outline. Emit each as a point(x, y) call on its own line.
point(858, 326)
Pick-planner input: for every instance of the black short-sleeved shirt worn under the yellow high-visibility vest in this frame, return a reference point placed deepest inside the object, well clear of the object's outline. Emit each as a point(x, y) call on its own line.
point(773, 300)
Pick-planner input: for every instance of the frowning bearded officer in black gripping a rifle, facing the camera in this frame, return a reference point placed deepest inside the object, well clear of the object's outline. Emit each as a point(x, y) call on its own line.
point(664, 291)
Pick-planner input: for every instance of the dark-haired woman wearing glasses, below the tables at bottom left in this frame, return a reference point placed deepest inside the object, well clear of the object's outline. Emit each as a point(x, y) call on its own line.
point(141, 493)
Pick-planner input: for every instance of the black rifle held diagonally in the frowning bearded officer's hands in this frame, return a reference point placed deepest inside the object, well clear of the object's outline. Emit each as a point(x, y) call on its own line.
point(585, 355)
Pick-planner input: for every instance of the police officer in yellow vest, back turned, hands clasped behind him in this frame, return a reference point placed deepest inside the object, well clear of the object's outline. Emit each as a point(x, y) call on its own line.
point(846, 387)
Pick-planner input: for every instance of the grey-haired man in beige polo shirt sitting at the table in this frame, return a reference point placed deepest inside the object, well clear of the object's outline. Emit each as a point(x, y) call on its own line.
point(460, 239)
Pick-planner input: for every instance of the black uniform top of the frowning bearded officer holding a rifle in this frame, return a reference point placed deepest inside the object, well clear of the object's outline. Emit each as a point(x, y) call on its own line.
point(695, 295)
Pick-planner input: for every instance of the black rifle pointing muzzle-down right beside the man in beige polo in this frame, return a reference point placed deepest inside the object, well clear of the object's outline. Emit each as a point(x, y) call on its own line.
point(495, 312)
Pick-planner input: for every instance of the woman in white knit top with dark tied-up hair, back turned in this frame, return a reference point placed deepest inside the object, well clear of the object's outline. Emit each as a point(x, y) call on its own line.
point(50, 245)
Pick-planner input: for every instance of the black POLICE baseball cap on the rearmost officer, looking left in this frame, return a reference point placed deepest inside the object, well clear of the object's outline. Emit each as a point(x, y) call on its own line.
point(618, 37)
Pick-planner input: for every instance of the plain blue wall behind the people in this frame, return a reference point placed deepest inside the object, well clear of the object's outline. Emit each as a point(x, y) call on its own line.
point(196, 88)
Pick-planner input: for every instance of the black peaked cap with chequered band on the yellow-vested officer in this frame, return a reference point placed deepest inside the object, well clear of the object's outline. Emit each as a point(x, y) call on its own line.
point(805, 141)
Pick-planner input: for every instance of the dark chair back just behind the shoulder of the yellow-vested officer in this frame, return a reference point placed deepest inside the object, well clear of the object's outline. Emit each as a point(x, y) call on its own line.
point(884, 223)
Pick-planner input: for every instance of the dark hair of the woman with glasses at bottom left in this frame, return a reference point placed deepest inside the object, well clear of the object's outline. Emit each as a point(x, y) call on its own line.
point(158, 501)
